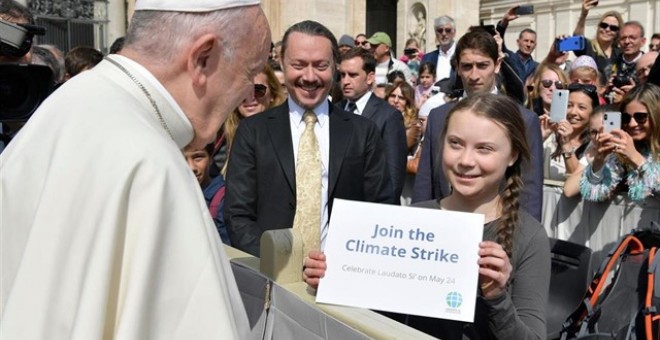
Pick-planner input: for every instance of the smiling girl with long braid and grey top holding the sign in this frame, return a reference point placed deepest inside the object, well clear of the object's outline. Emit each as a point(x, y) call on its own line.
point(484, 145)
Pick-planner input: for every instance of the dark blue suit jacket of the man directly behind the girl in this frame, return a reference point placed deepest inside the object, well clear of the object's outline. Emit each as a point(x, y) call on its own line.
point(430, 181)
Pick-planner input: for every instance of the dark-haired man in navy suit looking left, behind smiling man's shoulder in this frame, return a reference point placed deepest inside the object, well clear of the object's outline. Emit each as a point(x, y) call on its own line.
point(357, 72)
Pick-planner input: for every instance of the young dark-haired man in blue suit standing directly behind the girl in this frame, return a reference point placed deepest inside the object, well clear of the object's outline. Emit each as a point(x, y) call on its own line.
point(478, 64)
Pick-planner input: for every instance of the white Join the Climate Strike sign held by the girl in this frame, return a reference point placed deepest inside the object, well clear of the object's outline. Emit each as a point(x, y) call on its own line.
point(407, 260)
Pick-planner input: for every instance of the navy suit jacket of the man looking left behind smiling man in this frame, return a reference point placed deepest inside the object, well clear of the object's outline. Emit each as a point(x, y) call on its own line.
point(392, 130)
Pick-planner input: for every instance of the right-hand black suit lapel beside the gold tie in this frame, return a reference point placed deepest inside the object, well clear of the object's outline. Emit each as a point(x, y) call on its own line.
point(341, 132)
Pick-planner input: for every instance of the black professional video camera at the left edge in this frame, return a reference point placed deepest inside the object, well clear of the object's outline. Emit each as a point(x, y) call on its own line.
point(22, 87)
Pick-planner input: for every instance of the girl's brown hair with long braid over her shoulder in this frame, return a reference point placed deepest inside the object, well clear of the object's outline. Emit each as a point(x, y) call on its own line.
point(506, 113)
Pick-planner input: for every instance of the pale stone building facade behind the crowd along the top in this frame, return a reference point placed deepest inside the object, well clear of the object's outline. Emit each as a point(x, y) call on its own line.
point(403, 19)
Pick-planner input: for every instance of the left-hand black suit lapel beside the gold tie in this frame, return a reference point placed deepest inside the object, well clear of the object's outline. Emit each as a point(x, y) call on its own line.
point(279, 129)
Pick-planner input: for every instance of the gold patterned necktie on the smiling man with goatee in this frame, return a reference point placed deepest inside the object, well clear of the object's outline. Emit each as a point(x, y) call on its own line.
point(308, 186)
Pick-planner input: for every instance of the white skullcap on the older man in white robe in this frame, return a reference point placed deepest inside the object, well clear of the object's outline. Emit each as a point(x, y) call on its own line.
point(191, 5)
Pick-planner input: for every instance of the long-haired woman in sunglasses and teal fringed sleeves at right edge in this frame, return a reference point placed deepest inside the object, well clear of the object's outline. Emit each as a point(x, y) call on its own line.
point(628, 157)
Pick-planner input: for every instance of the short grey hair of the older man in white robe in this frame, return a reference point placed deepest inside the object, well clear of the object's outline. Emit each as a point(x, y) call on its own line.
point(162, 34)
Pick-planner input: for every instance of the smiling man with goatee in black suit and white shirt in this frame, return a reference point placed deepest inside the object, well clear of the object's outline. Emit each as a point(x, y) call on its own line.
point(261, 177)
